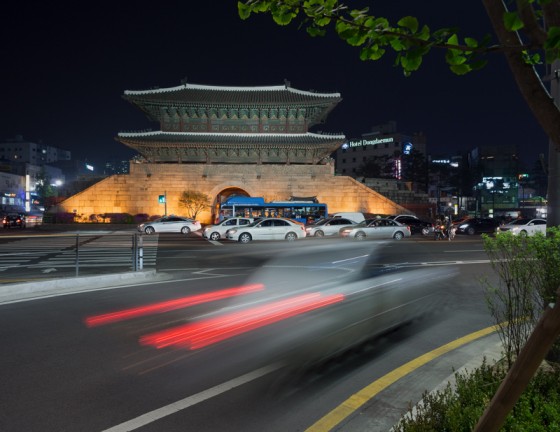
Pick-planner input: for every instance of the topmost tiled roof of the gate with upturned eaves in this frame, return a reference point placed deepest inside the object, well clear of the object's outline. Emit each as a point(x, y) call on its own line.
point(155, 102)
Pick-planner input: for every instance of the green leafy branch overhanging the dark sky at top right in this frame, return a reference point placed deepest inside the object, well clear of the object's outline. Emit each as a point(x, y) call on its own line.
point(408, 39)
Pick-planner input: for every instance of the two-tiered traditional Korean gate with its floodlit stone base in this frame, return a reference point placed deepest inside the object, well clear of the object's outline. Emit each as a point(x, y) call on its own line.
point(220, 140)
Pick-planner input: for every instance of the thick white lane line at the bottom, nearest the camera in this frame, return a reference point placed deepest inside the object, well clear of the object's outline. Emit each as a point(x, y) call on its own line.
point(182, 404)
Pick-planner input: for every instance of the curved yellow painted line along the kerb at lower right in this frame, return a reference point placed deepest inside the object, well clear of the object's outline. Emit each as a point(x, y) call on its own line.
point(354, 402)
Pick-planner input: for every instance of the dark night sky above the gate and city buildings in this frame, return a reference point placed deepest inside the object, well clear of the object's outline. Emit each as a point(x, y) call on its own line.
point(66, 65)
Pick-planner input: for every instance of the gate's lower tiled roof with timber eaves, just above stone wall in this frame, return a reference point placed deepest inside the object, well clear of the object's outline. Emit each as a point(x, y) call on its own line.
point(179, 147)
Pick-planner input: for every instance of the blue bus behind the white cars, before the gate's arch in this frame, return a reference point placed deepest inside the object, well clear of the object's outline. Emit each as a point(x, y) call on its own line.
point(302, 211)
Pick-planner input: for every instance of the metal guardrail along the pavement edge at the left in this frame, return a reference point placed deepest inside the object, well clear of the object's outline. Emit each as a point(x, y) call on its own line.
point(44, 256)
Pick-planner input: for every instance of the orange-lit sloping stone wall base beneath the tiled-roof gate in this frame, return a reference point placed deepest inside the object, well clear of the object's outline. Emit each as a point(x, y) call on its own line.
point(137, 192)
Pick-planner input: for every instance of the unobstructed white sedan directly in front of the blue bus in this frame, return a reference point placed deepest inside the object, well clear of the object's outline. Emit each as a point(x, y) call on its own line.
point(268, 229)
